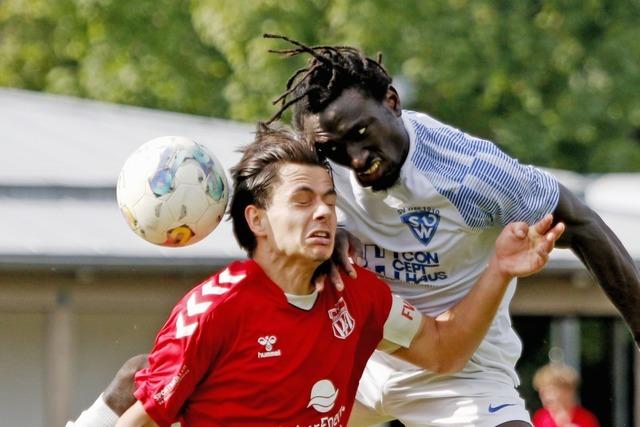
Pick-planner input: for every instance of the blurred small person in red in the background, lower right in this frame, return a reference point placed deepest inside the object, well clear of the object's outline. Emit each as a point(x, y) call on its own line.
point(557, 385)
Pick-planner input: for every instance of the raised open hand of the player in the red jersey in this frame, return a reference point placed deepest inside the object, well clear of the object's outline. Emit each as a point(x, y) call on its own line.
point(522, 250)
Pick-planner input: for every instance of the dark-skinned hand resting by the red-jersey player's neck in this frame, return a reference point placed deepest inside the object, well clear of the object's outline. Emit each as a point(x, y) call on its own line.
point(347, 250)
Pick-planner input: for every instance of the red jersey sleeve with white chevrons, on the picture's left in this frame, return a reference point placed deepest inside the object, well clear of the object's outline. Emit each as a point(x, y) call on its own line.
point(185, 348)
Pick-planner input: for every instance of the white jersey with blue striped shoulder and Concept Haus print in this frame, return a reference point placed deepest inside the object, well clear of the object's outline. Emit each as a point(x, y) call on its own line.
point(431, 234)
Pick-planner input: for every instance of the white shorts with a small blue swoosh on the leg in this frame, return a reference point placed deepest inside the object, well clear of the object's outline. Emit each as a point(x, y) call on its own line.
point(417, 398)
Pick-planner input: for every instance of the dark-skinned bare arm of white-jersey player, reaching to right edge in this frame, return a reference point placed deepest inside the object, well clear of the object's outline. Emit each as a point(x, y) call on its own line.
point(604, 256)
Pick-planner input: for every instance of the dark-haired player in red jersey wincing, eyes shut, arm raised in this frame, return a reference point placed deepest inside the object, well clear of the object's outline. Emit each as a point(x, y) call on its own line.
point(257, 344)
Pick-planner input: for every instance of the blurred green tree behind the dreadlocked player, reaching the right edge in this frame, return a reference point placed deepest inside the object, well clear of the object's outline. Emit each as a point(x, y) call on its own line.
point(553, 81)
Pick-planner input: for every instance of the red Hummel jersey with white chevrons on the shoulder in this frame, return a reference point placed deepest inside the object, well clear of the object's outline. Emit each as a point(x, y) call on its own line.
point(235, 352)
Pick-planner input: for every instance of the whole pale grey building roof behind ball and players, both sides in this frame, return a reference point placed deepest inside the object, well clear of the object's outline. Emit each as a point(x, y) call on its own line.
point(61, 158)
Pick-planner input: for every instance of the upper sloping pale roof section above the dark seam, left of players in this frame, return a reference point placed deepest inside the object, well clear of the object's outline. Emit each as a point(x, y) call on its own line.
point(57, 140)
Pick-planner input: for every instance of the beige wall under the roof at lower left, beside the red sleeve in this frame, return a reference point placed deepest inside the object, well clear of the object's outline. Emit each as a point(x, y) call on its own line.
point(64, 337)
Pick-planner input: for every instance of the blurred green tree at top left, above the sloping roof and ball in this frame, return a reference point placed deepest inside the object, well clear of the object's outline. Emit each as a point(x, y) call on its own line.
point(144, 52)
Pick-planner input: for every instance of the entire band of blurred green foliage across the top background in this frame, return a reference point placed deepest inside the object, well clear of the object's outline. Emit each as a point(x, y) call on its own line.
point(555, 82)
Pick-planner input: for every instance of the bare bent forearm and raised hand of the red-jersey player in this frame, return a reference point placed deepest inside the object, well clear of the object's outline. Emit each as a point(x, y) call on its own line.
point(446, 343)
